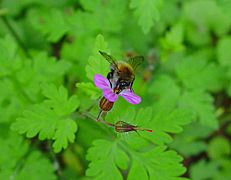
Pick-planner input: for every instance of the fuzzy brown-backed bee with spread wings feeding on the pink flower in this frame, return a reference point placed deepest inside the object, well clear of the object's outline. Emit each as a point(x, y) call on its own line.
point(122, 73)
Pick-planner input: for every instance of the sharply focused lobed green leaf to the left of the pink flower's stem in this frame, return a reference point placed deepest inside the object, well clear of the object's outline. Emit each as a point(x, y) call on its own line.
point(50, 119)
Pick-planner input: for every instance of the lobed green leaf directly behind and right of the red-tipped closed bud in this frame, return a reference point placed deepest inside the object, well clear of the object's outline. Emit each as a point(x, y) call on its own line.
point(161, 122)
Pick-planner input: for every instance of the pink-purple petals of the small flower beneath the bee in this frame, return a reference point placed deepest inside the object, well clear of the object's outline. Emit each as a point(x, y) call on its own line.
point(103, 83)
